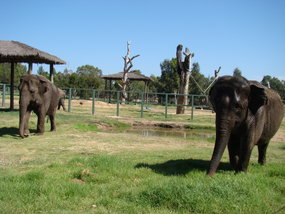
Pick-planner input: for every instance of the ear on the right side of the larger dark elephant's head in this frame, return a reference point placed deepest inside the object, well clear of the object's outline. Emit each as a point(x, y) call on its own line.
point(258, 96)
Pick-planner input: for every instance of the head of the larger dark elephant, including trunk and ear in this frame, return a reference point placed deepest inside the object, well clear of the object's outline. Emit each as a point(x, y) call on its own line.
point(233, 100)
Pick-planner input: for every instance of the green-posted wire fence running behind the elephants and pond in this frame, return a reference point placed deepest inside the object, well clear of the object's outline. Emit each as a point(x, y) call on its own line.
point(108, 102)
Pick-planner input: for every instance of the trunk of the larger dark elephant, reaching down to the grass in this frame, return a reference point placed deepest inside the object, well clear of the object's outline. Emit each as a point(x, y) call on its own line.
point(223, 133)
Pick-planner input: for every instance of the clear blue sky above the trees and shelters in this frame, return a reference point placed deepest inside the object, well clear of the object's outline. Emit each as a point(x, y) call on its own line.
point(248, 34)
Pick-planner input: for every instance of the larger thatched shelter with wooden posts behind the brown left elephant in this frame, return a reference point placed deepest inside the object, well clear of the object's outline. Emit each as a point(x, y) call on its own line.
point(17, 52)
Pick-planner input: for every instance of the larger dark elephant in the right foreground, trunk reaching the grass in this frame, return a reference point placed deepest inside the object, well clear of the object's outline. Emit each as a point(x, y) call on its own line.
point(247, 114)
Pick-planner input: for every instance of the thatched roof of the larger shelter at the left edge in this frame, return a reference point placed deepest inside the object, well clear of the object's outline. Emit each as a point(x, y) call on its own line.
point(12, 51)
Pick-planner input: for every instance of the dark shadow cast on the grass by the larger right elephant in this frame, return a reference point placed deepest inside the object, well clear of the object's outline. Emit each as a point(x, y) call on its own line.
point(181, 166)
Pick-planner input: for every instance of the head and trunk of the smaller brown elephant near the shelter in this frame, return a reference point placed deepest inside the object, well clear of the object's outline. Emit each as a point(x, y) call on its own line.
point(32, 89)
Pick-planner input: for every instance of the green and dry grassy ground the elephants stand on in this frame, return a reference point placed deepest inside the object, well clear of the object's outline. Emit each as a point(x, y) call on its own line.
point(84, 167)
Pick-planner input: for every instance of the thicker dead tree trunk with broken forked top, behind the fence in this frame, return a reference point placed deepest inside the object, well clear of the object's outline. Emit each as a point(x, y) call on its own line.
point(184, 71)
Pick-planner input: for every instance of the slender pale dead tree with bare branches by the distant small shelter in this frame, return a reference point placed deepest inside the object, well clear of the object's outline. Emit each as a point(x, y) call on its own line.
point(127, 66)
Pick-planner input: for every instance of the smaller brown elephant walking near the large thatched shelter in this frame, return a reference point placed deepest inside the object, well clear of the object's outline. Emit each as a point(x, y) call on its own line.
point(39, 95)
